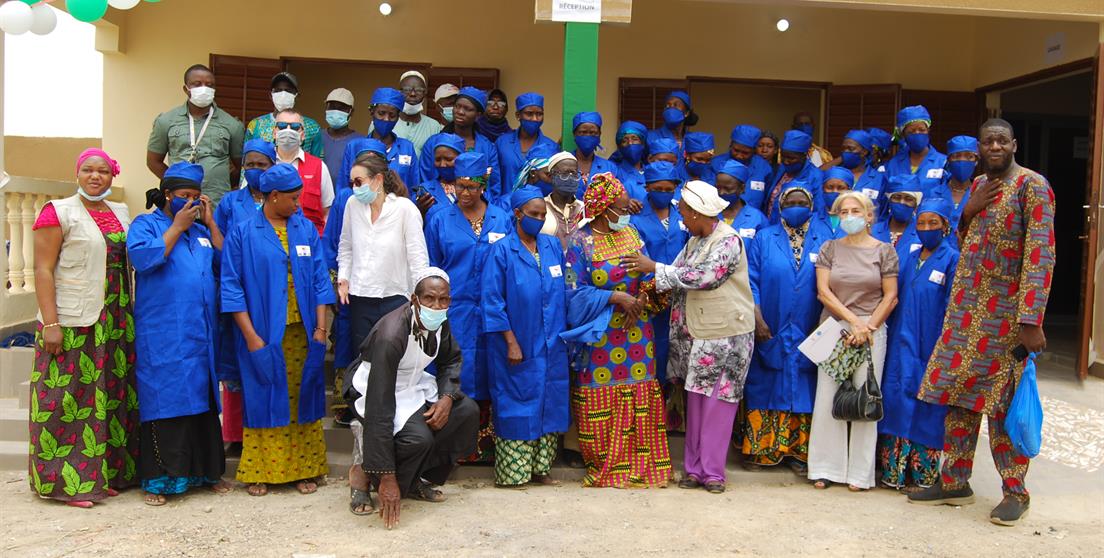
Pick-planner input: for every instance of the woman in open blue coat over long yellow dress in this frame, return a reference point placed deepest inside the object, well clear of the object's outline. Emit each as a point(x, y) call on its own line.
point(275, 285)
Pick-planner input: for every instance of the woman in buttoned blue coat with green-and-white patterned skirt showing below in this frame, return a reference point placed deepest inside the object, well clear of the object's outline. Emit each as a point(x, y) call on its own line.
point(525, 310)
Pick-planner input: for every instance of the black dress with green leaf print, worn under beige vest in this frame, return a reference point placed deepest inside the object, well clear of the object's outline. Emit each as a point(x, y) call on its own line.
point(84, 405)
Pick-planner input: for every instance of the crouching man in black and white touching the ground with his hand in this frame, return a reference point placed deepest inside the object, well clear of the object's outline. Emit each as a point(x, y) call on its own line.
point(412, 427)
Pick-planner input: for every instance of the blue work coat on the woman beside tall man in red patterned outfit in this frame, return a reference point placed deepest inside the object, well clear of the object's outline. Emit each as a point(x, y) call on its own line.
point(915, 328)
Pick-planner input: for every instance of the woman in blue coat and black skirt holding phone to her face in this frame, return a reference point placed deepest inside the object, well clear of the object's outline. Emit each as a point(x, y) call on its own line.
point(176, 336)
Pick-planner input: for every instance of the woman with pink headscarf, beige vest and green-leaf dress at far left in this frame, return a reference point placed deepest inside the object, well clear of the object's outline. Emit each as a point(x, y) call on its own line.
point(84, 407)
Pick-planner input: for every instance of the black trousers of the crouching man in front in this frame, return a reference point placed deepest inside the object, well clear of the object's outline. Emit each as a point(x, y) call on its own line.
point(420, 452)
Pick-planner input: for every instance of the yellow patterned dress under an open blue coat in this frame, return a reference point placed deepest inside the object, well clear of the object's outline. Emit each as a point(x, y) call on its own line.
point(295, 452)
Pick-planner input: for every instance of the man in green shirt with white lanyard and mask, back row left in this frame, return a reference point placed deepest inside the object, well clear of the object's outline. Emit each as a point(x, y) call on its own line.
point(198, 132)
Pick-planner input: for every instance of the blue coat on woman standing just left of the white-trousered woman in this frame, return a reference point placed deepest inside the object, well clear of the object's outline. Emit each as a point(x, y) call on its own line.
point(781, 378)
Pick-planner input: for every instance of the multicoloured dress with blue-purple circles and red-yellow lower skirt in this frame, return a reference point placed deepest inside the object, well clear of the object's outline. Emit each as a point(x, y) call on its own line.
point(617, 401)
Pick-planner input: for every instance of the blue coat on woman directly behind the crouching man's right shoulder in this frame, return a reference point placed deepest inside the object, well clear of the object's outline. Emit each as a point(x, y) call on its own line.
point(454, 247)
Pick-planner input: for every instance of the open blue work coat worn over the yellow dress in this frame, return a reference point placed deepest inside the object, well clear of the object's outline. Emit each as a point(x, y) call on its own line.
point(254, 280)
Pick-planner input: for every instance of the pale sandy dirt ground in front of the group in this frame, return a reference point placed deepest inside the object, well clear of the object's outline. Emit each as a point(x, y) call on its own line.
point(774, 519)
